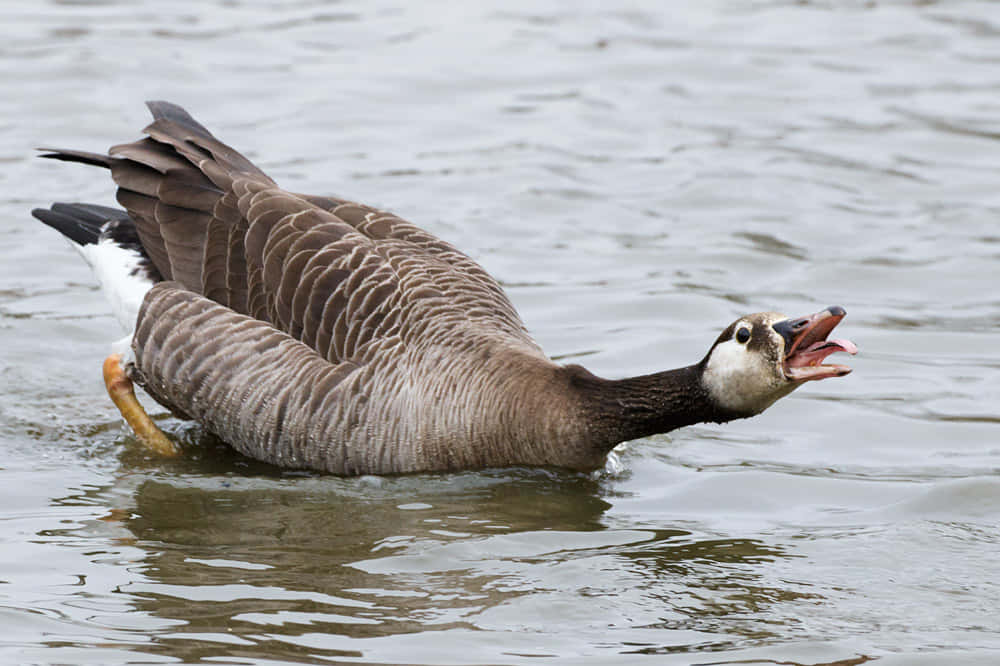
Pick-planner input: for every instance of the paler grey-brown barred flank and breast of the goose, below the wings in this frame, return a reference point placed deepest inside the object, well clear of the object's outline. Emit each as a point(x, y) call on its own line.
point(388, 408)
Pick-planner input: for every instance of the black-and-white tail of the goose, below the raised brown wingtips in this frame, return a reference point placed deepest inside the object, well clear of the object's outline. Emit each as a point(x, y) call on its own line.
point(107, 240)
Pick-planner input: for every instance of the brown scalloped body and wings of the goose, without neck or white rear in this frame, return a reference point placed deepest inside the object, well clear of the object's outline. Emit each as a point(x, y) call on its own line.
point(316, 332)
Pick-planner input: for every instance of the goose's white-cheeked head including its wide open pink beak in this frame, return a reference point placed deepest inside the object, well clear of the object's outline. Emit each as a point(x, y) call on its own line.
point(762, 357)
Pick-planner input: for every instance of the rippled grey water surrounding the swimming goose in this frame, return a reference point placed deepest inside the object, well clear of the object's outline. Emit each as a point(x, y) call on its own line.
point(637, 177)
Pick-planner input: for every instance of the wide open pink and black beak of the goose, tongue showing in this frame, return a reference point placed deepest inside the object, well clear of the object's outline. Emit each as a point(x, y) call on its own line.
point(807, 346)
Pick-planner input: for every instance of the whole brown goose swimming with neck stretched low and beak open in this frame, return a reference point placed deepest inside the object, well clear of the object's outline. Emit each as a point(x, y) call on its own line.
point(316, 332)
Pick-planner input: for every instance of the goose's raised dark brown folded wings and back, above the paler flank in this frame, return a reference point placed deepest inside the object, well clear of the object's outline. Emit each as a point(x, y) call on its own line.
point(333, 273)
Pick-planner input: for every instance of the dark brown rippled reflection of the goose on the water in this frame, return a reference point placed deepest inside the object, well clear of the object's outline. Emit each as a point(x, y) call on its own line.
point(309, 567)
